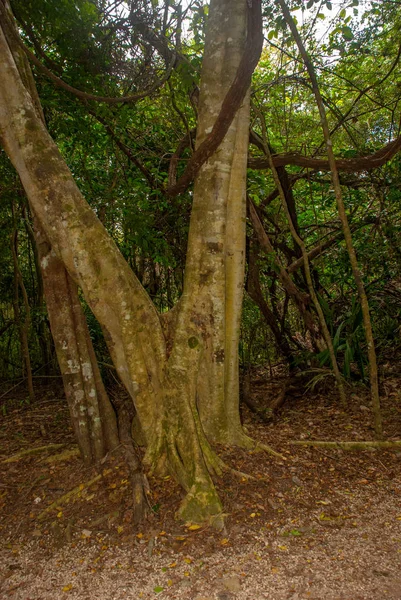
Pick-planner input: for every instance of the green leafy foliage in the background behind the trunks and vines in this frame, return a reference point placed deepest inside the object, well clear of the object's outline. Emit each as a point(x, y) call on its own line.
point(354, 48)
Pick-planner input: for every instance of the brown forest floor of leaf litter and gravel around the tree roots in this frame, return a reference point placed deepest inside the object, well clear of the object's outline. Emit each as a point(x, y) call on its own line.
point(318, 524)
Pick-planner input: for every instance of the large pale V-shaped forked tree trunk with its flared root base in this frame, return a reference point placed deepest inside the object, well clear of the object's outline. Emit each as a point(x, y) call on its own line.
point(189, 395)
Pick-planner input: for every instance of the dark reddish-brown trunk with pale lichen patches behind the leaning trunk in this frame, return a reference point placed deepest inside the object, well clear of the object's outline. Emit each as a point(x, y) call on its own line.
point(92, 416)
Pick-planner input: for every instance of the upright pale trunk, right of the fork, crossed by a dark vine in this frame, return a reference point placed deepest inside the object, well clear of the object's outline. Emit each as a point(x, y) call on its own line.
point(213, 288)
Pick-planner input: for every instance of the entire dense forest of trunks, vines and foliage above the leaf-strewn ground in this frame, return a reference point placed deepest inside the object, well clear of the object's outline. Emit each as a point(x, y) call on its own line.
point(190, 191)
